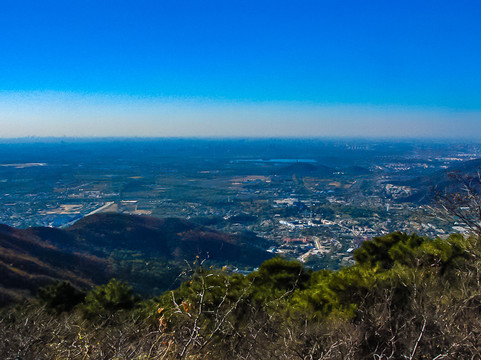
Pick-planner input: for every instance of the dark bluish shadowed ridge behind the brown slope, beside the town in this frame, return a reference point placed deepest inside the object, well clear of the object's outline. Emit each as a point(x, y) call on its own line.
point(169, 238)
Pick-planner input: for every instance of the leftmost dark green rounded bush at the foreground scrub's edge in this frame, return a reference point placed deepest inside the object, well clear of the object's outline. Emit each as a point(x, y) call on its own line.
point(60, 296)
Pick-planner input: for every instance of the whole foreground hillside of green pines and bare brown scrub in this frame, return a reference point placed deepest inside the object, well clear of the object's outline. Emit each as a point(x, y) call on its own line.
point(407, 297)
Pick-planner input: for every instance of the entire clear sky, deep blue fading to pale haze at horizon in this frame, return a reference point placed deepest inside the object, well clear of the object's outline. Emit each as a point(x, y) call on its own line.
point(240, 68)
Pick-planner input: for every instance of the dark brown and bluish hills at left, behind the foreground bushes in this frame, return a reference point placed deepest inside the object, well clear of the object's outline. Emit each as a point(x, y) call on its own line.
point(82, 253)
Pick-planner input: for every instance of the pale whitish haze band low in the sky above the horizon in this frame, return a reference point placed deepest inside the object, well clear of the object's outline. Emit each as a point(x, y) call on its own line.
point(55, 114)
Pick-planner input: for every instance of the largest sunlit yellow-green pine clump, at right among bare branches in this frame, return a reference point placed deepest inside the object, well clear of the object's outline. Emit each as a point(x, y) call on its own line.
point(397, 261)
